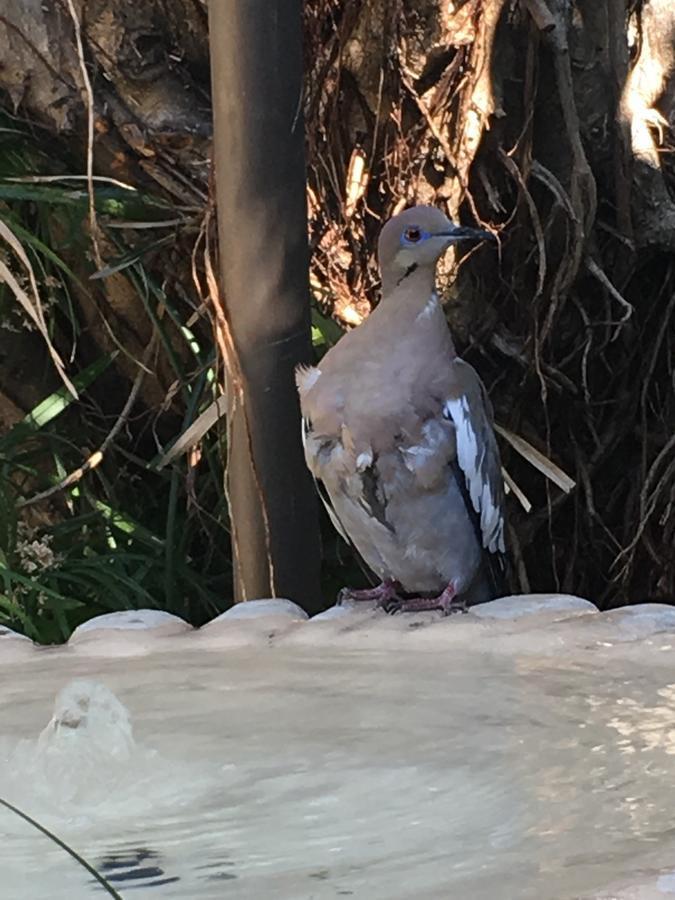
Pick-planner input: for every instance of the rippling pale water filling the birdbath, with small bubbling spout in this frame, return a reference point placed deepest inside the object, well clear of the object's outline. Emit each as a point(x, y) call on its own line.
point(300, 771)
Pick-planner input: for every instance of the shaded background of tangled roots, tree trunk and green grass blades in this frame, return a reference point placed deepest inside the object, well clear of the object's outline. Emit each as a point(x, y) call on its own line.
point(547, 121)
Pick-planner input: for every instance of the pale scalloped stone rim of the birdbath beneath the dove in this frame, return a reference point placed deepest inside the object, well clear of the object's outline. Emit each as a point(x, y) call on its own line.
point(542, 624)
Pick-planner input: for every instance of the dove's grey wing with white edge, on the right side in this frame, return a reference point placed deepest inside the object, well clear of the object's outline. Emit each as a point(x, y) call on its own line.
point(469, 409)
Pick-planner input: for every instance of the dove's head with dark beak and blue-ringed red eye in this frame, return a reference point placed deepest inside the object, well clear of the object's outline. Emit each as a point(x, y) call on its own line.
point(417, 238)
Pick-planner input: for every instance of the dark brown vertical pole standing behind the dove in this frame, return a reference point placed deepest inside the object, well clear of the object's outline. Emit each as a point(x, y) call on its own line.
point(256, 70)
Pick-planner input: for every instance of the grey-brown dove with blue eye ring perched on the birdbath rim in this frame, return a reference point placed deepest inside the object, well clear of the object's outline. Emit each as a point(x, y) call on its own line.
point(398, 434)
